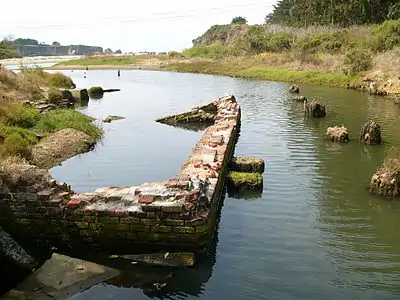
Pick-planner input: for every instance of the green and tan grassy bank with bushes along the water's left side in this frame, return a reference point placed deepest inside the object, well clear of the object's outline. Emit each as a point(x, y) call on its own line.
point(21, 127)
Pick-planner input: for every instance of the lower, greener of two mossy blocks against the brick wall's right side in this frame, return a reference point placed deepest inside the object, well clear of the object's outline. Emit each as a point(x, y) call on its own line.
point(244, 181)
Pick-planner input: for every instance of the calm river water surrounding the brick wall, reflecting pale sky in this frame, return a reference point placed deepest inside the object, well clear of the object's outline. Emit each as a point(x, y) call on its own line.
point(314, 233)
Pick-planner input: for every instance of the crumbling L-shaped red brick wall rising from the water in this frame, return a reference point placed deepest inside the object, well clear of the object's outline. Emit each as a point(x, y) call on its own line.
point(179, 213)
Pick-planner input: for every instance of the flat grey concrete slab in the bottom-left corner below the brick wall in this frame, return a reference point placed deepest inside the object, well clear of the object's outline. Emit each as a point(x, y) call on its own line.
point(60, 278)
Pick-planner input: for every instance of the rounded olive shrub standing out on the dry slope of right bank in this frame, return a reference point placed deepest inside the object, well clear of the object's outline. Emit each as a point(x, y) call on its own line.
point(357, 60)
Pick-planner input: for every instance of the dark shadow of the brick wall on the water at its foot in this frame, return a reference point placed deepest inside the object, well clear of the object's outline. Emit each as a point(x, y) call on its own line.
point(160, 282)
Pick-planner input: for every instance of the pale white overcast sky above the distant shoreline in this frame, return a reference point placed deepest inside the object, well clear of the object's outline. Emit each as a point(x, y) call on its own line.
point(141, 25)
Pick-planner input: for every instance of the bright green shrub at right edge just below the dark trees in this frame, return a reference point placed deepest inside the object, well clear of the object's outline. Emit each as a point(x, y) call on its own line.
point(386, 36)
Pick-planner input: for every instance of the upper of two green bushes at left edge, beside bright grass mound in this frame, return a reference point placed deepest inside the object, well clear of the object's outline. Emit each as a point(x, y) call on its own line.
point(16, 114)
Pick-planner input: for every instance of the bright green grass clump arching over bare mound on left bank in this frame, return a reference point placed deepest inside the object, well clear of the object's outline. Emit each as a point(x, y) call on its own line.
point(68, 118)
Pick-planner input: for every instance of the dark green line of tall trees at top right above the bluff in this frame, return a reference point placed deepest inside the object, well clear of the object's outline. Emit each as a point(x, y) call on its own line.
point(333, 12)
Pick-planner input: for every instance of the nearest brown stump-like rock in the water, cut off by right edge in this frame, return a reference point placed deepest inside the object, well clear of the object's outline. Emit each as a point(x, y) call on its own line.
point(386, 180)
